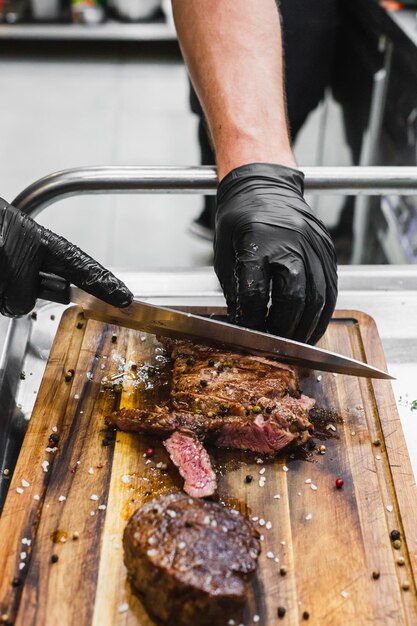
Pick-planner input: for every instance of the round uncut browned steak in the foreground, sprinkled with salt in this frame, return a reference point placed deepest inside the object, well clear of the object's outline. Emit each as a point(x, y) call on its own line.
point(190, 559)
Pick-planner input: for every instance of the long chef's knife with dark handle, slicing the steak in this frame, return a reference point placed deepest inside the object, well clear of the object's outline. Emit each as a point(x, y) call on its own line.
point(179, 325)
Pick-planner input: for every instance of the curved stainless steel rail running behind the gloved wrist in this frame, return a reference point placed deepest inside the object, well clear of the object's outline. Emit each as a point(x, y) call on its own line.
point(203, 180)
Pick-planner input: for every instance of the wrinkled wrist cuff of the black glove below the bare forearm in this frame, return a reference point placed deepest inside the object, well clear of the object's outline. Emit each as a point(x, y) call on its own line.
point(265, 173)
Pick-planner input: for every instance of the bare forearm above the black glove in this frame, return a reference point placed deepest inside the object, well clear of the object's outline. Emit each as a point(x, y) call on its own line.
point(233, 52)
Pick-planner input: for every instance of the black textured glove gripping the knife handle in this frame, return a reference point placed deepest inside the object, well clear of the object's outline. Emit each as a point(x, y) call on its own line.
point(26, 248)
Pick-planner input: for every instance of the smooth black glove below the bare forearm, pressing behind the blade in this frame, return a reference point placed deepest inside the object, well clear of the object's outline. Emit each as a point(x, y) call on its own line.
point(268, 243)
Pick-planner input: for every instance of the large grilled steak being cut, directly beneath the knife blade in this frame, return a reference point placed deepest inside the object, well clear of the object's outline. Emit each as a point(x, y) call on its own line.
point(226, 399)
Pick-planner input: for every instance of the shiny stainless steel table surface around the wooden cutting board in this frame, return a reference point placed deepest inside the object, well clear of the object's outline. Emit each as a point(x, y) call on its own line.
point(387, 293)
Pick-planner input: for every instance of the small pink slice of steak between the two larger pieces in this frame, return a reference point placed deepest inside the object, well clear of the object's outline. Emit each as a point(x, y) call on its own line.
point(193, 464)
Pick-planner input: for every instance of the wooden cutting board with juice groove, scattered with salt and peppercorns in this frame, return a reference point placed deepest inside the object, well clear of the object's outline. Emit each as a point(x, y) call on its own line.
point(79, 498)
